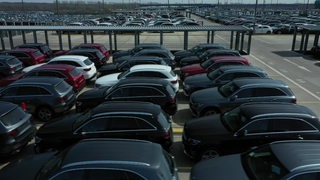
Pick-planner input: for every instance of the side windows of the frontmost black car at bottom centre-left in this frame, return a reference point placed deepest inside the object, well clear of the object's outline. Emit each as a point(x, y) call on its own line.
point(93, 174)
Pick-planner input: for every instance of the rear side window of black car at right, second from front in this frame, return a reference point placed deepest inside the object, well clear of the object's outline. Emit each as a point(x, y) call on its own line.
point(279, 125)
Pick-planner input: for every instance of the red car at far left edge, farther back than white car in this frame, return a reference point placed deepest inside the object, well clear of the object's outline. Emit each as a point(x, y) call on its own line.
point(27, 56)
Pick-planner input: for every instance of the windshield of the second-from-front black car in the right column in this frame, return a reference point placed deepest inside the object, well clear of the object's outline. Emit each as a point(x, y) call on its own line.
point(234, 119)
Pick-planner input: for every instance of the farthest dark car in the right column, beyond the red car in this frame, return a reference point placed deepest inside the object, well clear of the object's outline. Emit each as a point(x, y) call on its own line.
point(196, 50)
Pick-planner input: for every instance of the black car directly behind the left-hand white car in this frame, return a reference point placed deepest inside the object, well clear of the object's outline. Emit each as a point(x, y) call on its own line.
point(95, 55)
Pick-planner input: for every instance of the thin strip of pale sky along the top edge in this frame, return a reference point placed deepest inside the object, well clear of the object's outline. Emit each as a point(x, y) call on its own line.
point(179, 1)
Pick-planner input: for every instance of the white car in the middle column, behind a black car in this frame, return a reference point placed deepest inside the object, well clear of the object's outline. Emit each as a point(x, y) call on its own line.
point(143, 70)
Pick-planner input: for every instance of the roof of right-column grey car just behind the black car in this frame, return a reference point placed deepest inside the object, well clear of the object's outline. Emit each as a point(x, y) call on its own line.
point(241, 82)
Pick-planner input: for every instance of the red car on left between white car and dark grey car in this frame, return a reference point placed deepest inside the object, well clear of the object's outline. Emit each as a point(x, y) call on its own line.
point(69, 73)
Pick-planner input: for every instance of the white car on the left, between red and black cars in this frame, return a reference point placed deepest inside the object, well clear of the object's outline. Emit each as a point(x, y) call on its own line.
point(83, 63)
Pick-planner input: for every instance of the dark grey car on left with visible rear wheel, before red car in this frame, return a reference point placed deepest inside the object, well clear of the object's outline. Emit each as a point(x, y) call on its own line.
point(44, 97)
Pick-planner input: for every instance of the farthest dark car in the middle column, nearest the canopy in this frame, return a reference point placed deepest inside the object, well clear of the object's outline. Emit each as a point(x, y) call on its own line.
point(136, 49)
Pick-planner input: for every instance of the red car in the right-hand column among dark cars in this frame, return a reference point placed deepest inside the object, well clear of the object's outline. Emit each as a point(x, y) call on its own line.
point(211, 64)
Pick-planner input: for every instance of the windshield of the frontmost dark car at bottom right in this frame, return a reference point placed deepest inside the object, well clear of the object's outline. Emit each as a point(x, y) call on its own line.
point(263, 164)
